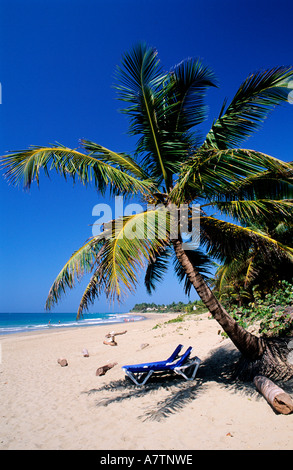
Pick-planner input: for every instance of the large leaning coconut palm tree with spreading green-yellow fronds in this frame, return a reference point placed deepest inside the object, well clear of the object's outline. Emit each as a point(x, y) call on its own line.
point(172, 165)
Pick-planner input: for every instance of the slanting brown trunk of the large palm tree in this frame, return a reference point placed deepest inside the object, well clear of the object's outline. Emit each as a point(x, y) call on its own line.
point(248, 344)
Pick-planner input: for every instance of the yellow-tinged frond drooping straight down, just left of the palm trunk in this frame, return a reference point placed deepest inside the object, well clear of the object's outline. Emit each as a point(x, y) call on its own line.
point(135, 240)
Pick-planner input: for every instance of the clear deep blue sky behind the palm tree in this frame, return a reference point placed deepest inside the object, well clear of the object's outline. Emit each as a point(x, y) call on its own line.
point(57, 65)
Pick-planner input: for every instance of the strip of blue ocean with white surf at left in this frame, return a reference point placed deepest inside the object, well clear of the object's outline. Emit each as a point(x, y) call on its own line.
point(28, 322)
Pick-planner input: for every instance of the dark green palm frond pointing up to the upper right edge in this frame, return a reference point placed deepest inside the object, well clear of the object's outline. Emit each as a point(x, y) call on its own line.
point(254, 100)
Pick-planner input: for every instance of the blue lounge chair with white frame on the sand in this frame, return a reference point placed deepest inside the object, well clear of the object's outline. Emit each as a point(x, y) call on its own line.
point(140, 373)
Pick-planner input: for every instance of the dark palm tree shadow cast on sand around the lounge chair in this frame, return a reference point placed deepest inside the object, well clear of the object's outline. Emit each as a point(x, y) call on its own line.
point(219, 367)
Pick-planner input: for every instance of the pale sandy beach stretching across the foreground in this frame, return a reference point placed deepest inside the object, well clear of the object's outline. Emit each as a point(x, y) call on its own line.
point(46, 406)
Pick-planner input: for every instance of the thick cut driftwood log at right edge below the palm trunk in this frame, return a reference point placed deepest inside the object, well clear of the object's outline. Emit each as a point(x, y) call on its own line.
point(275, 396)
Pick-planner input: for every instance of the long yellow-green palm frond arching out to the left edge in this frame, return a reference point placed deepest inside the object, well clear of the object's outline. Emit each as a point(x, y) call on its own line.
point(25, 166)
